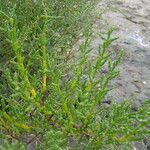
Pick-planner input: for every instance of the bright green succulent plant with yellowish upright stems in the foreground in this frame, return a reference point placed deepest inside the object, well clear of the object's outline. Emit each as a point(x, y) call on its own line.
point(57, 99)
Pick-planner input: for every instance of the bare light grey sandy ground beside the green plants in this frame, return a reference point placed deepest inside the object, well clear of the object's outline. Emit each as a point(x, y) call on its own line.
point(132, 19)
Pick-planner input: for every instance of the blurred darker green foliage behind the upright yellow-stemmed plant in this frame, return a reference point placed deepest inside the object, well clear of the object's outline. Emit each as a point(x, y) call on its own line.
point(65, 21)
